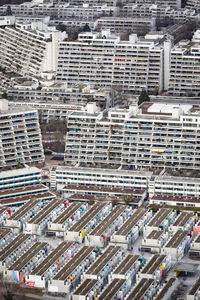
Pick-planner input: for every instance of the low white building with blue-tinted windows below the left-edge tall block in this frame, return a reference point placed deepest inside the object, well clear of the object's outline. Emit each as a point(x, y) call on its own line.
point(19, 178)
